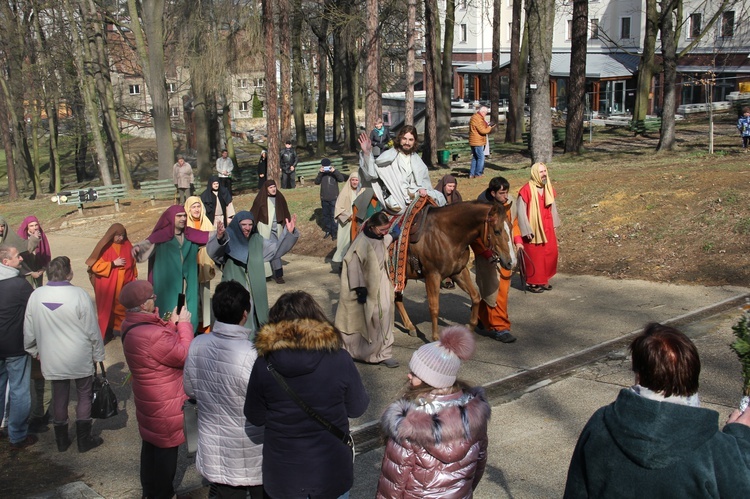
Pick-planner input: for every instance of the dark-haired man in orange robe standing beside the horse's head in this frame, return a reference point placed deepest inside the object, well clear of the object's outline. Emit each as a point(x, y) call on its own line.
point(494, 281)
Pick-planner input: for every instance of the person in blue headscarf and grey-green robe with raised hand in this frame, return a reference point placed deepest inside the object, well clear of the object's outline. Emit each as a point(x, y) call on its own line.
point(241, 254)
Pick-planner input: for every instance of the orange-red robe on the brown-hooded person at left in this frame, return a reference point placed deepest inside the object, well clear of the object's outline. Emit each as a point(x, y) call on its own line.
point(108, 282)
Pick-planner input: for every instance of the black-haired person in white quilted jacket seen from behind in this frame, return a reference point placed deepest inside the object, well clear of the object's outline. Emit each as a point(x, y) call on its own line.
point(217, 372)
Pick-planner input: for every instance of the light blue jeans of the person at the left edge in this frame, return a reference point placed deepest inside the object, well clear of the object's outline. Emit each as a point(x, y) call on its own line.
point(19, 379)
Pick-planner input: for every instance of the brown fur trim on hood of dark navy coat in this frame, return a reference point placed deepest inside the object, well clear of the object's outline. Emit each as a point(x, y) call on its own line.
point(301, 334)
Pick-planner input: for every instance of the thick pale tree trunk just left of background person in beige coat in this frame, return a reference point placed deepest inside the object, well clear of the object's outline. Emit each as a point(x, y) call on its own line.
point(151, 52)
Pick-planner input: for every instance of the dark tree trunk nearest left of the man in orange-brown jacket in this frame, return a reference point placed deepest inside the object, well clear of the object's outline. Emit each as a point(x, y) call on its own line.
point(445, 80)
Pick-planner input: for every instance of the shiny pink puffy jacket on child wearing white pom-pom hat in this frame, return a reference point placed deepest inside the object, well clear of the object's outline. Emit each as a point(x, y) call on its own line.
point(432, 451)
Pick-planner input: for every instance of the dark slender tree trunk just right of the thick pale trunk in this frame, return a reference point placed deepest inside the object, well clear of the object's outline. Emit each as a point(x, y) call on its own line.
point(577, 80)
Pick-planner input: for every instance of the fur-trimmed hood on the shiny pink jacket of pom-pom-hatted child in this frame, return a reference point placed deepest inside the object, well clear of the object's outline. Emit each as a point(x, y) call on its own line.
point(464, 422)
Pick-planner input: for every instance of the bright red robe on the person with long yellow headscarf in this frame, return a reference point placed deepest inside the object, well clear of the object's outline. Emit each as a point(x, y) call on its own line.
point(540, 259)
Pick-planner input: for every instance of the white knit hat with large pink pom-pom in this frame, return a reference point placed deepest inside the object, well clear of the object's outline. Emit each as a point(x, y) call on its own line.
point(437, 363)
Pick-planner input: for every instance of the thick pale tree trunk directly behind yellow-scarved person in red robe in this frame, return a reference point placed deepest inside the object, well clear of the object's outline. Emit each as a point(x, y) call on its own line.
point(541, 17)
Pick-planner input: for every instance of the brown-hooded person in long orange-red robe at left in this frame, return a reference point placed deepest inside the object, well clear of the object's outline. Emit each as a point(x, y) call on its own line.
point(111, 266)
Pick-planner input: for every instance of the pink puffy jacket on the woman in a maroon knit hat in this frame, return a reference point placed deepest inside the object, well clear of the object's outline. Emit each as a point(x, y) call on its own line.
point(156, 351)
